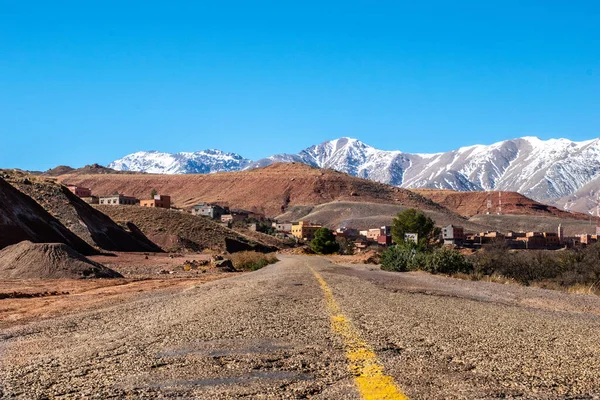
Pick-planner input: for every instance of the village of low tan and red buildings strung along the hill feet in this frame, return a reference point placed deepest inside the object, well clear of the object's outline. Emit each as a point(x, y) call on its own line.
point(304, 231)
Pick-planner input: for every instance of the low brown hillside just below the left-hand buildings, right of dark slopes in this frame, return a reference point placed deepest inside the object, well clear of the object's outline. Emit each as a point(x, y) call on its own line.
point(176, 230)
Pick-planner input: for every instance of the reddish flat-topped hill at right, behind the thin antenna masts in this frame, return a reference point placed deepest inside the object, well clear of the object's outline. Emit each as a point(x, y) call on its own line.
point(469, 204)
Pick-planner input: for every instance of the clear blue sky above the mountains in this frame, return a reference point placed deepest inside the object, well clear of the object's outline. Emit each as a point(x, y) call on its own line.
point(91, 81)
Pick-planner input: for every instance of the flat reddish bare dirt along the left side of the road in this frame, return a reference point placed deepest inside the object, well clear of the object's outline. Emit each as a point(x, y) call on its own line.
point(23, 301)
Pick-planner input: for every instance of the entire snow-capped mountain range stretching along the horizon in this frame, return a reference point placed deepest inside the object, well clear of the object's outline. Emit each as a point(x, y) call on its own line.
point(556, 171)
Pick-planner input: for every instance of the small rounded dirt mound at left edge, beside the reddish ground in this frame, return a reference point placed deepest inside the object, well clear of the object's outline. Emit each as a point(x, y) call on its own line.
point(27, 260)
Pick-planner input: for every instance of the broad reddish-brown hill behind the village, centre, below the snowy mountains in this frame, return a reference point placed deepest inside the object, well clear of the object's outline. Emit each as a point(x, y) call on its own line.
point(270, 190)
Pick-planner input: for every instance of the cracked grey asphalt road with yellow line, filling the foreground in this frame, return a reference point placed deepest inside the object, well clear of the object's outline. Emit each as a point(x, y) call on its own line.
point(306, 328)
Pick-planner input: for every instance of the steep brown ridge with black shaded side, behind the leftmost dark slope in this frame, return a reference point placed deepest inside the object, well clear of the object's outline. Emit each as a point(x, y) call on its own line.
point(79, 217)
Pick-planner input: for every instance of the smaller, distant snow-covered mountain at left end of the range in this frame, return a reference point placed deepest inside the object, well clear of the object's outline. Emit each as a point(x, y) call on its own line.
point(200, 162)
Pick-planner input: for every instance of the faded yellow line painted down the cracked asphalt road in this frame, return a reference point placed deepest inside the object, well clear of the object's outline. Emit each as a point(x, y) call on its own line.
point(370, 380)
